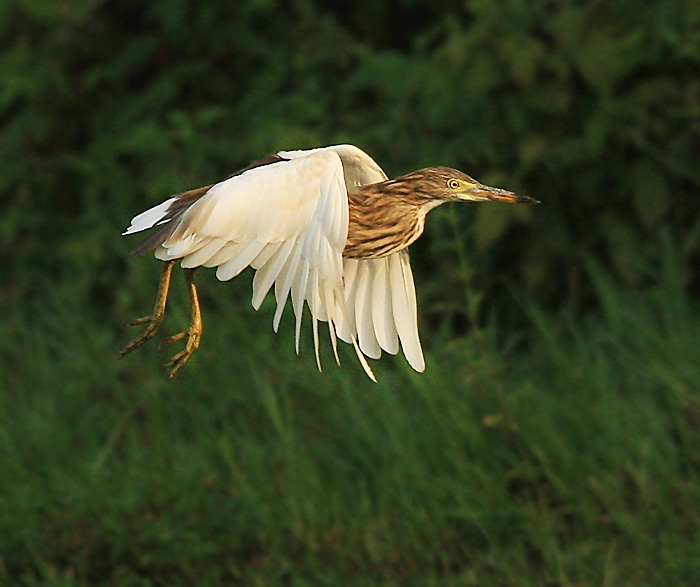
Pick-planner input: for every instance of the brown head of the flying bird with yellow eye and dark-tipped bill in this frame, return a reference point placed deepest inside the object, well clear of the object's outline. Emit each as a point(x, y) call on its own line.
point(447, 184)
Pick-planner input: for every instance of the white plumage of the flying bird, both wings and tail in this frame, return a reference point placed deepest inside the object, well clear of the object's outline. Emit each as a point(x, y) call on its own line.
point(289, 221)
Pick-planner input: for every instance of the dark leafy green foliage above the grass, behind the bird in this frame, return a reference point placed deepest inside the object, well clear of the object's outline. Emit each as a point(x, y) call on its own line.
point(591, 107)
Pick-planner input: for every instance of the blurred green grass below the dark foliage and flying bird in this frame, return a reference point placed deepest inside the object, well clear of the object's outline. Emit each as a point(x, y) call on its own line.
point(568, 458)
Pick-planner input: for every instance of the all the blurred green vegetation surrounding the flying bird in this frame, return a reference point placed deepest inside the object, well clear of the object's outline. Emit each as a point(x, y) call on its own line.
point(553, 439)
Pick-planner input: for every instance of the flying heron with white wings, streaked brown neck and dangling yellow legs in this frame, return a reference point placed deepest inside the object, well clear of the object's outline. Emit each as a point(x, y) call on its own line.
point(326, 228)
